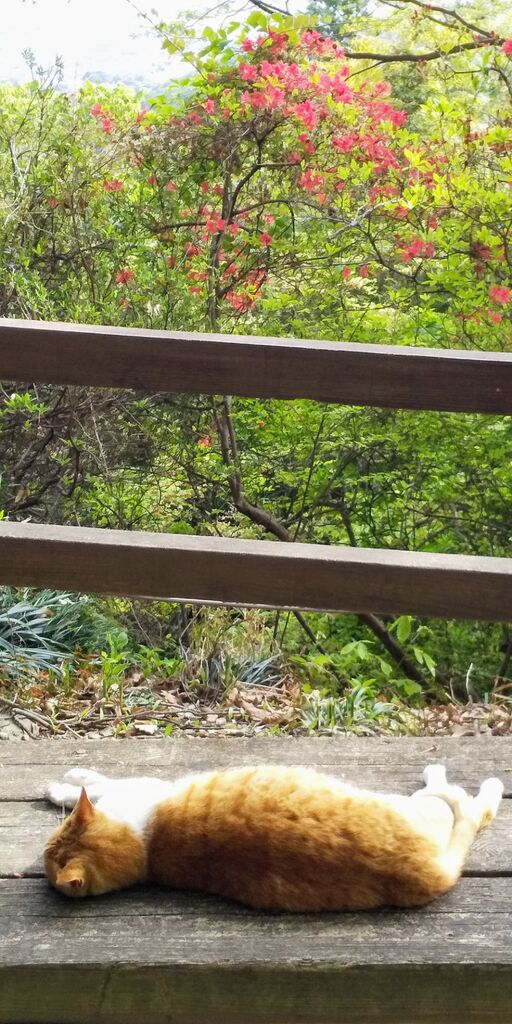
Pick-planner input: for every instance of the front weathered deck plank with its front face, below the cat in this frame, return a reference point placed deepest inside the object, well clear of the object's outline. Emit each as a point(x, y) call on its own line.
point(159, 958)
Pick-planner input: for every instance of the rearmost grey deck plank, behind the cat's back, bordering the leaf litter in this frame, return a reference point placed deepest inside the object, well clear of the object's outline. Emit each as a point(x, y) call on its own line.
point(378, 763)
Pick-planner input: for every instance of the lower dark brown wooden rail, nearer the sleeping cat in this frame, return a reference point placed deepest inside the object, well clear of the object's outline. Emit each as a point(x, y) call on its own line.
point(265, 574)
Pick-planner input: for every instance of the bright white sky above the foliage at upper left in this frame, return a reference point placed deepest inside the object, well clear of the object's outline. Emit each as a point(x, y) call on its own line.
point(93, 35)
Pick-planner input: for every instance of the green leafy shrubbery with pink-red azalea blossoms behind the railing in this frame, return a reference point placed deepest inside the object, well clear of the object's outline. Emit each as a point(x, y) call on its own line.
point(282, 189)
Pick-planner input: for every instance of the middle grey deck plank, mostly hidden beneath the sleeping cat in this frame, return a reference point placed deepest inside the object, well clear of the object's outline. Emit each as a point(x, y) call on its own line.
point(25, 827)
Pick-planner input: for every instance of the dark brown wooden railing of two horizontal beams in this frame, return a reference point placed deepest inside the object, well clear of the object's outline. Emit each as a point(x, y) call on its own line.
point(257, 573)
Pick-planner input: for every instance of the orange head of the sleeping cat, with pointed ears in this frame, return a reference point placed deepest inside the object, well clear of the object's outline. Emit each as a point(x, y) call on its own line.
point(91, 854)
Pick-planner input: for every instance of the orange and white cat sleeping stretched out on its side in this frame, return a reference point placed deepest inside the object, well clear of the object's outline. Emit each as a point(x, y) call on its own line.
point(274, 838)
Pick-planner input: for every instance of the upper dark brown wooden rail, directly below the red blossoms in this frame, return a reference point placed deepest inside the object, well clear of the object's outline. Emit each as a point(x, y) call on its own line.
point(267, 368)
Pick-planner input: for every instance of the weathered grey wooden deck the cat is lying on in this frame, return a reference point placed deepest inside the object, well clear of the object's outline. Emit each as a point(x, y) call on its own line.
point(155, 957)
